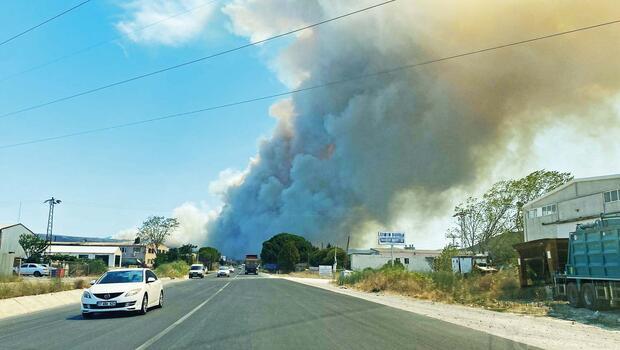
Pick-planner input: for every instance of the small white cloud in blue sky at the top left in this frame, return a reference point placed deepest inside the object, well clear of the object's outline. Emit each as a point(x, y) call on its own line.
point(169, 31)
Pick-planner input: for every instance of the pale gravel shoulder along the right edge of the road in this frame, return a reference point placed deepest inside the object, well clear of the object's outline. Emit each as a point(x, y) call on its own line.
point(543, 332)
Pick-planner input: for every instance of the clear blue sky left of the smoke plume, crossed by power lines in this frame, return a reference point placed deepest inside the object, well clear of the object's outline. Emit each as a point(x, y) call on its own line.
point(112, 180)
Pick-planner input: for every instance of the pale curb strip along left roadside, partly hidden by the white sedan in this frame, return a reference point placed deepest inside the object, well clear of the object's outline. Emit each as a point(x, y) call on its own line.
point(34, 303)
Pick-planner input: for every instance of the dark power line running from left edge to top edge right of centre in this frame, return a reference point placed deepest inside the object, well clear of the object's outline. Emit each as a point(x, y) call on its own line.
point(254, 43)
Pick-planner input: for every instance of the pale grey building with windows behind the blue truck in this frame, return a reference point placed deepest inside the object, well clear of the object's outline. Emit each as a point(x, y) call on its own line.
point(555, 214)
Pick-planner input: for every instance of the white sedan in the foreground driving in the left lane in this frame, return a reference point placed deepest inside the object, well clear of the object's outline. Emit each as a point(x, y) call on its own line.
point(132, 290)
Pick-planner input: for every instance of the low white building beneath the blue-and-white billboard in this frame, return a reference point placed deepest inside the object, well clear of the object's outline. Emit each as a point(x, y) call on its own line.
point(413, 259)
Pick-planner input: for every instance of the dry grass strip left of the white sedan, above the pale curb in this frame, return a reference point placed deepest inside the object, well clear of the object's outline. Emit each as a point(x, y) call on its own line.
point(22, 287)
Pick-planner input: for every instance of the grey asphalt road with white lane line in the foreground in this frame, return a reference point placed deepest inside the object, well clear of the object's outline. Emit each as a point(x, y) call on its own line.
point(245, 312)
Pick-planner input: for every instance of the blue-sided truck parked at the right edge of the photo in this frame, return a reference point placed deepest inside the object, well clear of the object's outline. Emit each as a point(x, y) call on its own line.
point(592, 272)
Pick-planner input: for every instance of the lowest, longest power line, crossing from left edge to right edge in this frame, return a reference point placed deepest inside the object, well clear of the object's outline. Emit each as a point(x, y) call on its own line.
point(308, 88)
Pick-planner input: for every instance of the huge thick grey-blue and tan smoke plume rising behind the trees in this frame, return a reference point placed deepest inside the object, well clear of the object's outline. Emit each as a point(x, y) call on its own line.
point(346, 158)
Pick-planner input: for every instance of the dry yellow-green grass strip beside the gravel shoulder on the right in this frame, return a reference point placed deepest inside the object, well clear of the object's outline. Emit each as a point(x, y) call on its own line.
point(499, 291)
